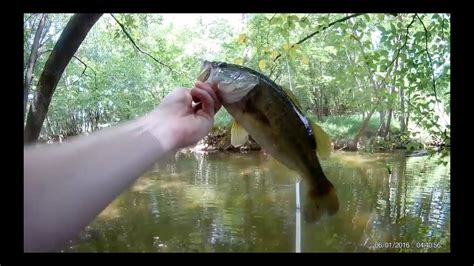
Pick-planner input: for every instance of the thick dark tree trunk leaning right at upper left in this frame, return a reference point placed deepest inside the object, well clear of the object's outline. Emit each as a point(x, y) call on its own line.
point(68, 43)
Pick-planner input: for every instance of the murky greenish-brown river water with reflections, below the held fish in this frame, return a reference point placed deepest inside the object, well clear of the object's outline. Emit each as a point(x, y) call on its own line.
point(220, 202)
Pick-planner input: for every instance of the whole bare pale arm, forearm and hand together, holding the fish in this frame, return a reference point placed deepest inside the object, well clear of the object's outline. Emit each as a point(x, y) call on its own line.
point(67, 185)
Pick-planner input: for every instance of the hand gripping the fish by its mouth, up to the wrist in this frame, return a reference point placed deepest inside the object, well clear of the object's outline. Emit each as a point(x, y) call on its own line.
point(178, 122)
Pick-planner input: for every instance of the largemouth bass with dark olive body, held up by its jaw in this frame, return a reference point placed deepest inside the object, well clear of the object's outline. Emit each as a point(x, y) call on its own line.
point(268, 113)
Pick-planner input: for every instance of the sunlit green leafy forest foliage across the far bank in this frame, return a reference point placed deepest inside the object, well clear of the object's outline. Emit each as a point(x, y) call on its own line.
point(397, 65)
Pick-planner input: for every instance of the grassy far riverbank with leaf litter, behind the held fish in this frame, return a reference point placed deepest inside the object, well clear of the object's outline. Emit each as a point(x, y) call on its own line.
point(343, 130)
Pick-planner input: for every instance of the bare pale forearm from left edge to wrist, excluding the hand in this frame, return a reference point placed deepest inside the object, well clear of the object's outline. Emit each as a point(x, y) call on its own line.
point(67, 186)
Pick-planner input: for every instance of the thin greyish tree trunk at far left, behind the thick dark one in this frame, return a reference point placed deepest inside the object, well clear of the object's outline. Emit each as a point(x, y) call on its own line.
point(32, 63)
